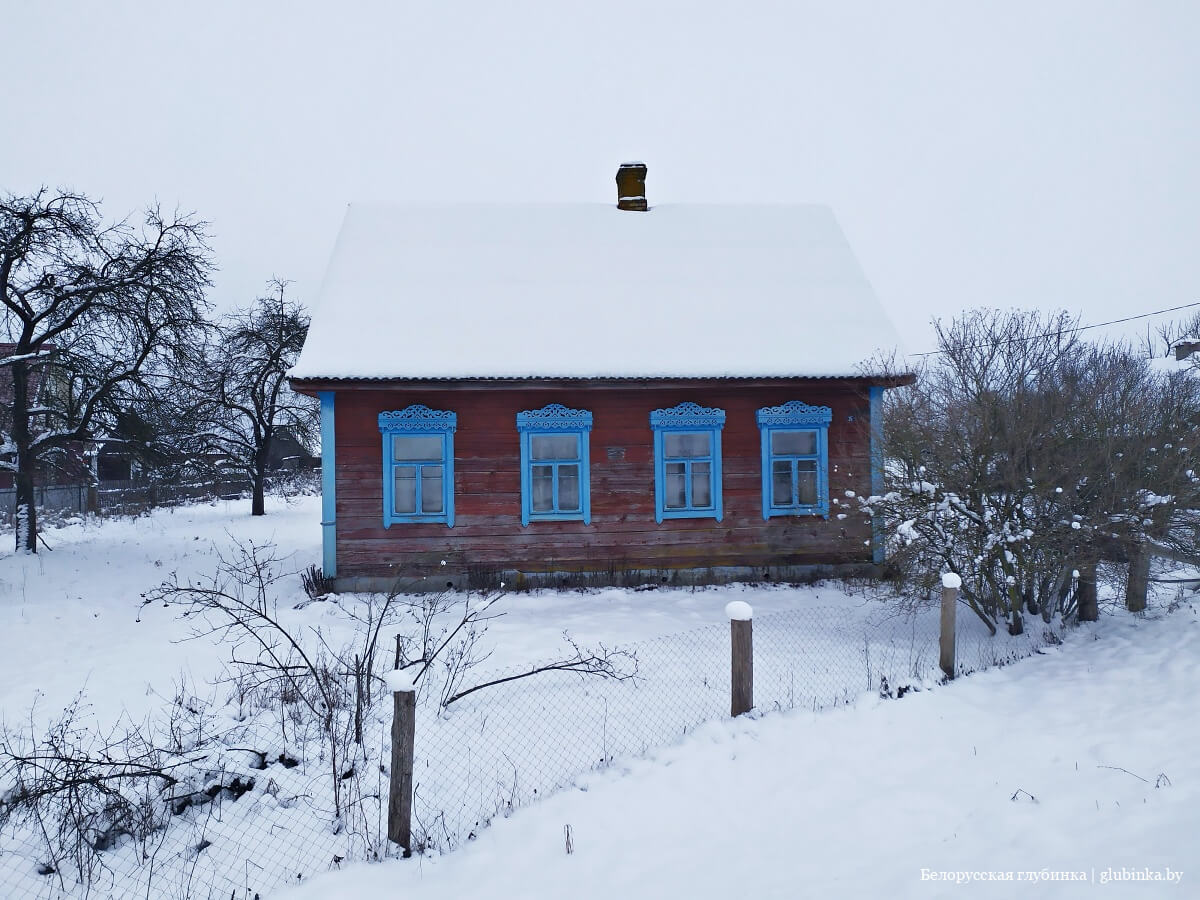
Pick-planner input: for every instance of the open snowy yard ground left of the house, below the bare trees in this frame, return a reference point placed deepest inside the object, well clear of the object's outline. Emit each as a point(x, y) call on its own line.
point(71, 616)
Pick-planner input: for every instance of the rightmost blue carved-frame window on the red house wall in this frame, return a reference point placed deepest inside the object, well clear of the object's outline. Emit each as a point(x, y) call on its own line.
point(795, 460)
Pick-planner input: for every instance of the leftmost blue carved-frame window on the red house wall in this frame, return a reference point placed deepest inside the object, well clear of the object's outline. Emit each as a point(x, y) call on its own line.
point(418, 465)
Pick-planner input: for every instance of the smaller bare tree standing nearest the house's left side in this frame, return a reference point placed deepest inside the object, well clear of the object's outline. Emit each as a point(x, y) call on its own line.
point(245, 394)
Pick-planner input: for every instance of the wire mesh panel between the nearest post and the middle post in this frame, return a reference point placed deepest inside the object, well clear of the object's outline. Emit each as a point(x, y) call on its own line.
point(502, 748)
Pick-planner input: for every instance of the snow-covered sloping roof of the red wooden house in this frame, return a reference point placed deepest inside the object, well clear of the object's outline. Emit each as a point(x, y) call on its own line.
point(593, 292)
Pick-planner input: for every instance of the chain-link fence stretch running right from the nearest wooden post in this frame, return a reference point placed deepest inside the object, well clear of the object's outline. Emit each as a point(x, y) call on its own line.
point(503, 748)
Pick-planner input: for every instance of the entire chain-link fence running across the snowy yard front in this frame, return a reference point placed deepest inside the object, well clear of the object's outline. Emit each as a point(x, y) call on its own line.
point(273, 801)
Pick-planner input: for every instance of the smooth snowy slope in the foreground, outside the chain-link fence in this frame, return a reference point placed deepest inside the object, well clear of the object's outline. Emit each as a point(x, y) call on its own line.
point(1083, 761)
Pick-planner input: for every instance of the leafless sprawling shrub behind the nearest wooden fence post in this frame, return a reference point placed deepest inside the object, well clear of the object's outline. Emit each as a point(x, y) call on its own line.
point(334, 686)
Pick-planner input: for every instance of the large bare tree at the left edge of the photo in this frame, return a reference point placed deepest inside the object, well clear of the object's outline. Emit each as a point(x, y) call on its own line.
point(93, 313)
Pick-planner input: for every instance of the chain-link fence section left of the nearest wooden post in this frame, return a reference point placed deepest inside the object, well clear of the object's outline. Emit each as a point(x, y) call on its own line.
point(237, 812)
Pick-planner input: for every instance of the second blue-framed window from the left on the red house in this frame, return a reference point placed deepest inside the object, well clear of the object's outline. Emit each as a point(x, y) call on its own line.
point(555, 476)
